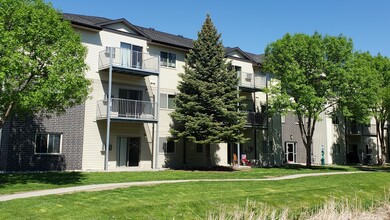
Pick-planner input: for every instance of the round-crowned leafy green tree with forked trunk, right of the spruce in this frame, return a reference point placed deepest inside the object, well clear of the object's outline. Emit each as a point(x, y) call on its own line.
point(310, 73)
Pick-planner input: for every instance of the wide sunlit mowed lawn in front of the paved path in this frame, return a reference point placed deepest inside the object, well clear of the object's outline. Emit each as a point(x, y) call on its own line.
point(198, 200)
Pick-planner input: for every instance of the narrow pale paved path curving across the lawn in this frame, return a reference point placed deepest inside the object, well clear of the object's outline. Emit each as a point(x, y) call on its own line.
point(108, 186)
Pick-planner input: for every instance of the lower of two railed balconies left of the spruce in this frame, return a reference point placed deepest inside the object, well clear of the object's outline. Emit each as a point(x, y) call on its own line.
point(128, 110)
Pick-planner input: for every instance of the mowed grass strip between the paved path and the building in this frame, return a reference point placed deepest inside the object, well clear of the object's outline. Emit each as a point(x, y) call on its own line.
point(20, 182)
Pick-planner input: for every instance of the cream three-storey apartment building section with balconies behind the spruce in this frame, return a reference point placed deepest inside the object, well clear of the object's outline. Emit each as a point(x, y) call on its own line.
point(136, 68)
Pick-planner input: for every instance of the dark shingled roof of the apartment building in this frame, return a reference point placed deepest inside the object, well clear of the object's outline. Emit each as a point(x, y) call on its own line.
point(150, 33)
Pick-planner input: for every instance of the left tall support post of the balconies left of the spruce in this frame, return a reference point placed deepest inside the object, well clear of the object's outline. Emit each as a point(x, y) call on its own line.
point(107, 147)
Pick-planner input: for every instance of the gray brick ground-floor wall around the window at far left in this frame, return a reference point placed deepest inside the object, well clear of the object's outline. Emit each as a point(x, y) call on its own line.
point(19, 151)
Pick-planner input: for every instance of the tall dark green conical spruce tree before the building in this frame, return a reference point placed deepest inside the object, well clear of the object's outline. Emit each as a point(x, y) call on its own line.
point(206, 107)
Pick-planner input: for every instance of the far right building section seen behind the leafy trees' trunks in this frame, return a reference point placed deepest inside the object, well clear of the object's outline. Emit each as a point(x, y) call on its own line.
point(336, 141)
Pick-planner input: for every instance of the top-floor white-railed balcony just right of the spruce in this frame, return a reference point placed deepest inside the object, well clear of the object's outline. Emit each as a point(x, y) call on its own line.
point(251, 82)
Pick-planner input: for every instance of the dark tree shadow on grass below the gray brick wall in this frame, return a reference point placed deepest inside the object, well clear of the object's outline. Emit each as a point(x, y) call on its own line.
point(54, 178)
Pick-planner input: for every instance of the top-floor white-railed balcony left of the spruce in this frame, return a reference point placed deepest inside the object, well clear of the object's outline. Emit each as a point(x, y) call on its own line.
point(130, 62)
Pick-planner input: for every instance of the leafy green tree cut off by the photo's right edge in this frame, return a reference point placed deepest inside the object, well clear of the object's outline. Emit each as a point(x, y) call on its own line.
point(369, 93)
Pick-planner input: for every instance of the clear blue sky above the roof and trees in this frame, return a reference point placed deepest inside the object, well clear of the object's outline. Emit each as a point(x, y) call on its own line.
point(252, 24)
